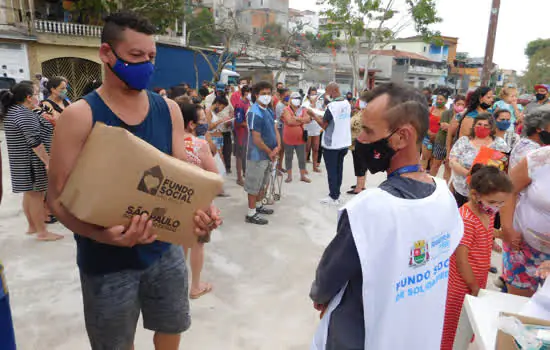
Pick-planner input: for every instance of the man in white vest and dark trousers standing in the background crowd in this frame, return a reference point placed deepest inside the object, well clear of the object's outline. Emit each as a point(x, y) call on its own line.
point(336, 140)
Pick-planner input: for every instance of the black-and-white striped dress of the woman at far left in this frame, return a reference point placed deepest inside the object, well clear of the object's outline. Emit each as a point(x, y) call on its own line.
point(26, 130)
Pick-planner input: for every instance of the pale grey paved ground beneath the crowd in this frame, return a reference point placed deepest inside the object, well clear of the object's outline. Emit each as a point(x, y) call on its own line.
point(261, 276)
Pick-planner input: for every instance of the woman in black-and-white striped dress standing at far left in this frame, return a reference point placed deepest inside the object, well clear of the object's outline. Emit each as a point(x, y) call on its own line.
point(28, 139)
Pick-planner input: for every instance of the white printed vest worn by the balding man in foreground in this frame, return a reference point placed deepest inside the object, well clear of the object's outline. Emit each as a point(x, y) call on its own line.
point(404, 248)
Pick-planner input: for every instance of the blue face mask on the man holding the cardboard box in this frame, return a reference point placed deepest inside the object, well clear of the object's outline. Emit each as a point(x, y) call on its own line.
point(136, 75)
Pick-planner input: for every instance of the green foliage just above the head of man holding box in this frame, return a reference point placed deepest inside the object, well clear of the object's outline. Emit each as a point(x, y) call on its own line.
point(162, 13)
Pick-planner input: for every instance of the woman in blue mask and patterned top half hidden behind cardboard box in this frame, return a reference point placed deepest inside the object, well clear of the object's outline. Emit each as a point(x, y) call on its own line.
point(199, 153)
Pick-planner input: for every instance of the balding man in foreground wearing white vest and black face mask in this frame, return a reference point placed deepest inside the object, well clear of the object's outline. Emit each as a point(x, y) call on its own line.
point(382, 282)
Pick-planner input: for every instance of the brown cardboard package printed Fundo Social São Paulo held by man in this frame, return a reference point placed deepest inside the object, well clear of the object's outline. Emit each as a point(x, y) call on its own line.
point(118, 175)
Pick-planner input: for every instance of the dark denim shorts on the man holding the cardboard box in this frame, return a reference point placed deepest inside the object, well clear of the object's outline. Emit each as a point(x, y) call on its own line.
point(113, 302)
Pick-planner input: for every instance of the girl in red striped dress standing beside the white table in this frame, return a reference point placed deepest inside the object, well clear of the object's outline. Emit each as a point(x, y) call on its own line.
point(469, 265)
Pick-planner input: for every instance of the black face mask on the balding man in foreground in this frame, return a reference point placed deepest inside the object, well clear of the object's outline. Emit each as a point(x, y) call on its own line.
point(376, 155)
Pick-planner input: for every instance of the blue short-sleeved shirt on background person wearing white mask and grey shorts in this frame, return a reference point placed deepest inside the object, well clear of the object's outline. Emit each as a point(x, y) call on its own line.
point(262, 121)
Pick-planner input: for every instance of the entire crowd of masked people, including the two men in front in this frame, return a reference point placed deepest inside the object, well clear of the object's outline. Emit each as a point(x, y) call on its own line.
point(494, 182)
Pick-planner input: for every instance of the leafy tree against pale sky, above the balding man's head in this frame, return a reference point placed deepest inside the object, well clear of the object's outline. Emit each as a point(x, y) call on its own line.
point(365, 24)
